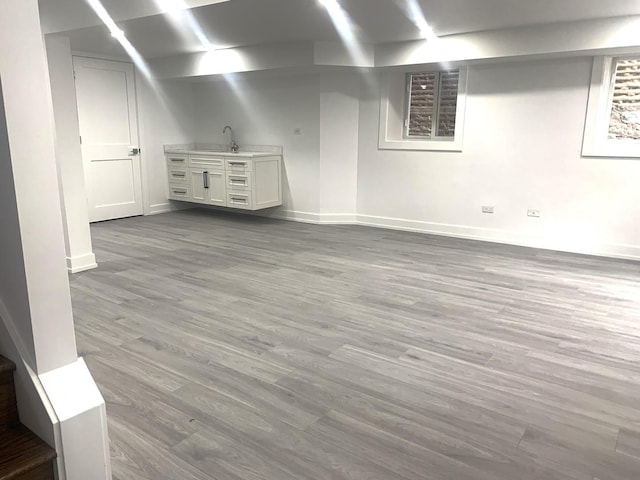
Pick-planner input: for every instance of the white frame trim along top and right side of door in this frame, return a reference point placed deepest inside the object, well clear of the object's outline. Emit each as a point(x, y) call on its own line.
point(144, 168)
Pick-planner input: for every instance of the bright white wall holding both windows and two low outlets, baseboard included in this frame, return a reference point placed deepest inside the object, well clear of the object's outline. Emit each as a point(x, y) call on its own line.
point(523, 137)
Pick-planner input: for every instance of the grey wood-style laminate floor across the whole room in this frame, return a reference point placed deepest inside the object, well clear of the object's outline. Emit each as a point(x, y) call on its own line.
point(235, 347)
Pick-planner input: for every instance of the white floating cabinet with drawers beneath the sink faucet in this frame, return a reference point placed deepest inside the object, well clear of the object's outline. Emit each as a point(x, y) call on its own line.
point(250, 181)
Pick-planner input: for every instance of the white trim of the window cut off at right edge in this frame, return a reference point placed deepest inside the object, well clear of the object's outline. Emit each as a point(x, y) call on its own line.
point(595, 142)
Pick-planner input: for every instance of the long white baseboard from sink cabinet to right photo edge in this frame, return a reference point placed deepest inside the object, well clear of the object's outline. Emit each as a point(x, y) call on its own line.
point(629, 252)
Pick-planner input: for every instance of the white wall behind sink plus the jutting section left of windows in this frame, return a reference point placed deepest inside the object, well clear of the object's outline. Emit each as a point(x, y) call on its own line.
point(320, 181)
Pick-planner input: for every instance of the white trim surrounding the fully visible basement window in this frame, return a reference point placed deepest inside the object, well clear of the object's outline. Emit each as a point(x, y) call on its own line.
point(393, 112)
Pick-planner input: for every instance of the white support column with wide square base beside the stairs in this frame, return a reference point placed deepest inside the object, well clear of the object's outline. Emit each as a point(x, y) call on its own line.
point(34, 287)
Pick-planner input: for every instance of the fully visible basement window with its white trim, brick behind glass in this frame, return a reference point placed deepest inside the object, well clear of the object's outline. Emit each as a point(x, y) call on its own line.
point(423, 110)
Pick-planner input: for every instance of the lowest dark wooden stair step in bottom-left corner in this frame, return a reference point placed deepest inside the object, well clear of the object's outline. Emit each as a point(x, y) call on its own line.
point(23, 456)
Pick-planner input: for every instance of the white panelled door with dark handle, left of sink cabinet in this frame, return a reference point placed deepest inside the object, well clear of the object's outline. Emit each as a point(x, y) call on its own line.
point(108, 118)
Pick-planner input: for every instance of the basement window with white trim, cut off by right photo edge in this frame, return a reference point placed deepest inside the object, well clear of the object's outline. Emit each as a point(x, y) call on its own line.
point(612, 127)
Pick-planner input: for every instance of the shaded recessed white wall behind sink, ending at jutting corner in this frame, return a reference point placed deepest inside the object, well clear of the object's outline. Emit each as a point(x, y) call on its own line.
point(266, 110)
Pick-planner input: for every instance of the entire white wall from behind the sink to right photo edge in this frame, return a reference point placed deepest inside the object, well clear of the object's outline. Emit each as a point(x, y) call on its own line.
point(523, 136)
